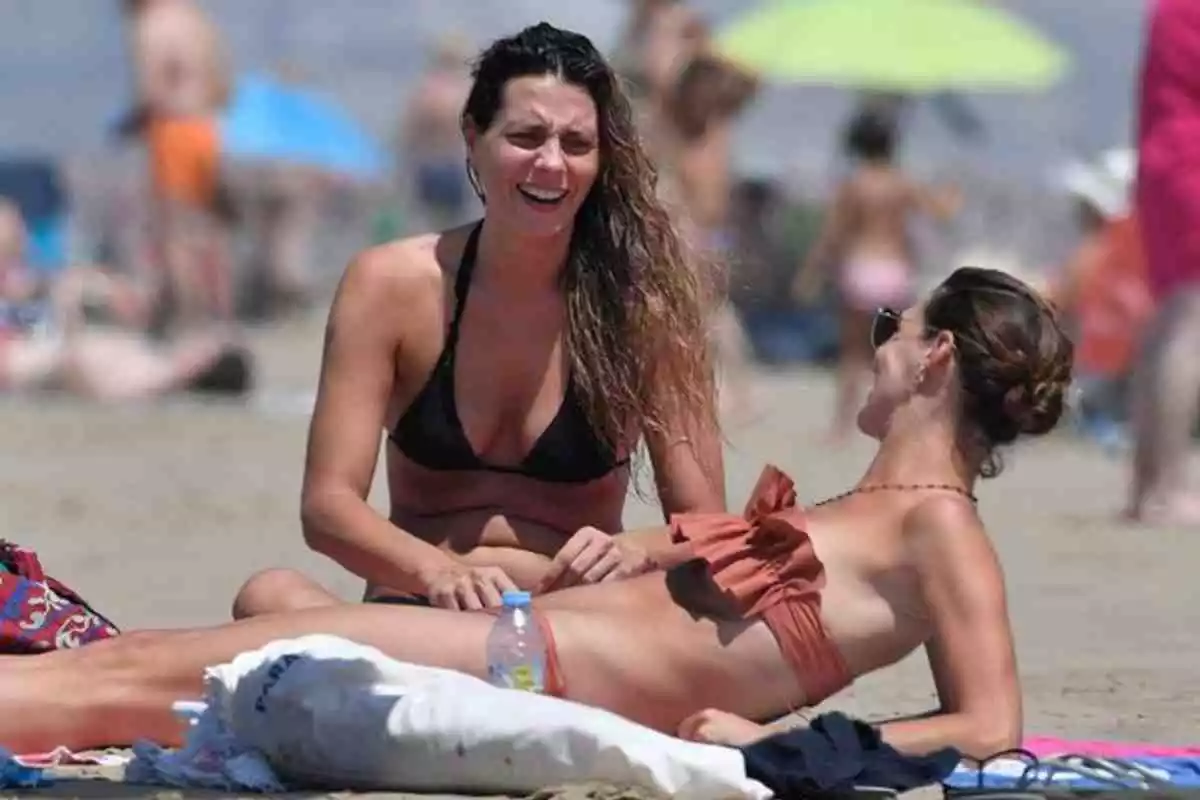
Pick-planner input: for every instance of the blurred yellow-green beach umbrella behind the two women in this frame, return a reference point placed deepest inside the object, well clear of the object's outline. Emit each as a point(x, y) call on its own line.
point(903, 46)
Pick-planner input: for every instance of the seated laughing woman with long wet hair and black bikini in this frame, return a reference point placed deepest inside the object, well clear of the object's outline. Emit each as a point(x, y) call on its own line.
point(515, 363)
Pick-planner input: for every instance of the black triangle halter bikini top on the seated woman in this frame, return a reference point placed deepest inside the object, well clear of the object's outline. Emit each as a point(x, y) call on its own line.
point(431, 435)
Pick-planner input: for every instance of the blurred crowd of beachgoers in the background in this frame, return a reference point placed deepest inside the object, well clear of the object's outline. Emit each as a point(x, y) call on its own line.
point(170, 318)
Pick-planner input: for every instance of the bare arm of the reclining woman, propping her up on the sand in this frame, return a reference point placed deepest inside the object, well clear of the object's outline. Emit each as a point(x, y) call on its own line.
point(971, 651)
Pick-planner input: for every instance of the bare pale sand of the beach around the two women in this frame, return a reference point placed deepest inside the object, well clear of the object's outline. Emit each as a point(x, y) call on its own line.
point(158, 514)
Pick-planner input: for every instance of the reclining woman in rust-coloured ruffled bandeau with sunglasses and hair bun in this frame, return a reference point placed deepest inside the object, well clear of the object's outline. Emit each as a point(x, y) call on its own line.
point(752, 615)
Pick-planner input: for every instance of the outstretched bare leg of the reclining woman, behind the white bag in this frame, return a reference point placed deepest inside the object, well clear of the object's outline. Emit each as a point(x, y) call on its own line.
point(122, 690)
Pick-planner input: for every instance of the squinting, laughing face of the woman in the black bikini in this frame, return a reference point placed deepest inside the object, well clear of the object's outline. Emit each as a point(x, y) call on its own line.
point(541, 157)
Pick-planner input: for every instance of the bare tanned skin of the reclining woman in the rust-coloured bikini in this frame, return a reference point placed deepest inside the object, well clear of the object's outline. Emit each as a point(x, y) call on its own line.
point(904, 570)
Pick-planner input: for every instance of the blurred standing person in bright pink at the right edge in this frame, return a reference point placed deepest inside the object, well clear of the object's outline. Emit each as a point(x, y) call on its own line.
point(1168, 196)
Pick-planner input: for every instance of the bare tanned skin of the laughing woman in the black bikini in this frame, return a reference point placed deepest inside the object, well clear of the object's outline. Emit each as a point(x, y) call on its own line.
point(461, 538)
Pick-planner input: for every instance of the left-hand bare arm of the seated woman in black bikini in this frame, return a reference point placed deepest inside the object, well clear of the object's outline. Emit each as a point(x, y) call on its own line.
point(375, 310)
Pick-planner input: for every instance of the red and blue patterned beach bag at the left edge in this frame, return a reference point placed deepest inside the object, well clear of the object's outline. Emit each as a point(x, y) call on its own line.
point(39, 613)
